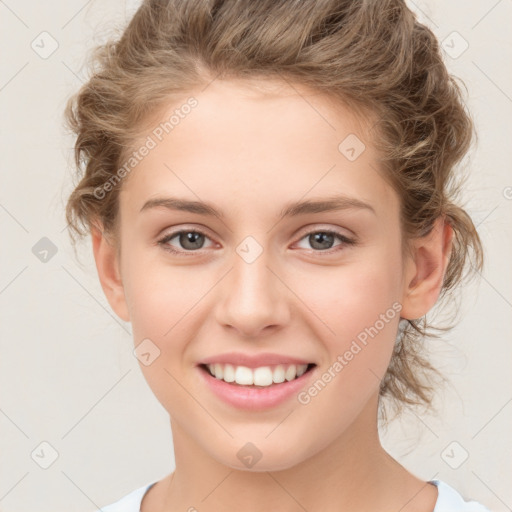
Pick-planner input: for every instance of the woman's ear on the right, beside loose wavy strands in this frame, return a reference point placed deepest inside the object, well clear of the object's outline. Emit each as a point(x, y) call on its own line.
point(426, 269)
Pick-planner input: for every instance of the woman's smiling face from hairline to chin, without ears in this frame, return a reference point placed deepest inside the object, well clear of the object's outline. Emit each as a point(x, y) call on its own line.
point(317, 285)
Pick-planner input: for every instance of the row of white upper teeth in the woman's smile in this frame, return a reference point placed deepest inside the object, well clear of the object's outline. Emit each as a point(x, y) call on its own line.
point(261, 376)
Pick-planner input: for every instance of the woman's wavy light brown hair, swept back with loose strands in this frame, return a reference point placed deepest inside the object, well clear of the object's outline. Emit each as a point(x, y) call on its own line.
point(373, 55)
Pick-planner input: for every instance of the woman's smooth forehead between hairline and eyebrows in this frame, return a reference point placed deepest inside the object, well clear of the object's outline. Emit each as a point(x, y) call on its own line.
point(259, 144)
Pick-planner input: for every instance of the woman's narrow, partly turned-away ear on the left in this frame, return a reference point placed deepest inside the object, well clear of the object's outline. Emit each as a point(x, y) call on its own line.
point(107, 265)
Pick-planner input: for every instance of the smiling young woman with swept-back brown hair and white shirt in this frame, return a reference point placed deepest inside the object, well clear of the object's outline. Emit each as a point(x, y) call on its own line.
point(268, 190)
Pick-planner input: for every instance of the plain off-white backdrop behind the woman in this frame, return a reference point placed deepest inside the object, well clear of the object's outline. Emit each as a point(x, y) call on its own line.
point(72, 397)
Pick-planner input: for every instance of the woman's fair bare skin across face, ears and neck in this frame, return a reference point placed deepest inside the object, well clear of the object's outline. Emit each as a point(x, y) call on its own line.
point(250, 151)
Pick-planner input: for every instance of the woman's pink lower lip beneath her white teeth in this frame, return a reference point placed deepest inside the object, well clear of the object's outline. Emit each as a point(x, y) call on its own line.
point(255, 398)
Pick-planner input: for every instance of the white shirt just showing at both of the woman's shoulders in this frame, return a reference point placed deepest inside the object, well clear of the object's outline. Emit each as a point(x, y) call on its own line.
point(448, 500)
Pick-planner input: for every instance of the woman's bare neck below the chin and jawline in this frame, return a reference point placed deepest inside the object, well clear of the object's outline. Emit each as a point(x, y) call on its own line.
point(352, 473)
